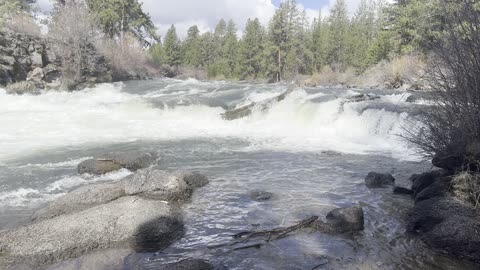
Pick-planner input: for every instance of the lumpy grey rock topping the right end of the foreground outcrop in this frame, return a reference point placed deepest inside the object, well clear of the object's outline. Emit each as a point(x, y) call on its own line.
point(157, 184)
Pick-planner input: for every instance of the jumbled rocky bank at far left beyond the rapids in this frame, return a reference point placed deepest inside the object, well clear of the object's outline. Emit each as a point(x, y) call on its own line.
point(29, 64)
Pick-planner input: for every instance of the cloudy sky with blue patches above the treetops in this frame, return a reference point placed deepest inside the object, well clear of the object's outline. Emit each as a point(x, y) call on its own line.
point(206, 13)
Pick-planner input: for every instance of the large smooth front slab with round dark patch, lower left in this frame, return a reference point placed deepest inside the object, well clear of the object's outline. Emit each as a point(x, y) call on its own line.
point(141, 224)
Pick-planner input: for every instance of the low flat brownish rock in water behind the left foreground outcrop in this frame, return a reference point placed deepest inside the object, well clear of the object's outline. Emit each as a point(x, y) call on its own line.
point(115, 161)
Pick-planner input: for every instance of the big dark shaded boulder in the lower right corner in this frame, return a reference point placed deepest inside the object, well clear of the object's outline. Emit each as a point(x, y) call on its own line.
point(447, 225)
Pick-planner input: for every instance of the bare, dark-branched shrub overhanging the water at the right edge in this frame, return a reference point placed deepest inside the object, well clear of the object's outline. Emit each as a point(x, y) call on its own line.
point(452, 126)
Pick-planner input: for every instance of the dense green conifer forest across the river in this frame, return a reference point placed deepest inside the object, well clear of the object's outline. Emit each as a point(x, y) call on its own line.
point(291, 46)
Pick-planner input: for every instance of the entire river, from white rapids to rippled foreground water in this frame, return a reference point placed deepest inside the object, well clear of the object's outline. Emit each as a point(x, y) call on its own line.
point(312, 151)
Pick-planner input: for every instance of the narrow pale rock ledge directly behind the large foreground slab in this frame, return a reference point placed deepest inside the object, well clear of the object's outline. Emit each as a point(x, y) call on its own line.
point(81, 199)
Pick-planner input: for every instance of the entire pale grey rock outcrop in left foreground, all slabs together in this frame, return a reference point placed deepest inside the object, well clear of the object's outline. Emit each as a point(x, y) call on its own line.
point(137, 212)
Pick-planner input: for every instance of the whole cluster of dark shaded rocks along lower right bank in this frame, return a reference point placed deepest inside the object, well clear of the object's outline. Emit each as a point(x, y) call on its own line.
point(440, 220)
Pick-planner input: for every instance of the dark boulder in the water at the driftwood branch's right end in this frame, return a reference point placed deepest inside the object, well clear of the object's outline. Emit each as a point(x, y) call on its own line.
point(342, 220)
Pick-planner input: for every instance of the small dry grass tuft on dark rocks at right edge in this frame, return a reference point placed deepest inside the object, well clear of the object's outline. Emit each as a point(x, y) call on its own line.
point(466, 187)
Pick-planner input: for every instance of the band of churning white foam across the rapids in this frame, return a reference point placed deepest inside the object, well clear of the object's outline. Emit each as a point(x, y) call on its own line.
point(105, 115)
